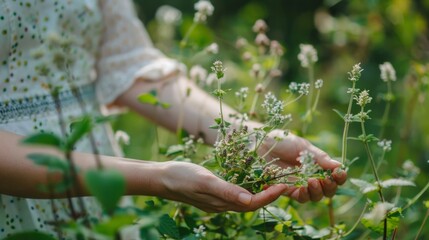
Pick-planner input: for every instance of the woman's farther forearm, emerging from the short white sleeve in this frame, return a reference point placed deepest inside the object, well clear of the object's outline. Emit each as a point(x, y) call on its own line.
point(197, 109)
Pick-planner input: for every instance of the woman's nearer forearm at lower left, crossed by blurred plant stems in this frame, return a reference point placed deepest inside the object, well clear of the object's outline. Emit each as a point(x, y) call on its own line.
point(20, 177)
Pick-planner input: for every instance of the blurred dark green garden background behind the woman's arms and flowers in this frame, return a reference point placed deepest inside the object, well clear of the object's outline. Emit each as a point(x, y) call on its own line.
point(344, 33)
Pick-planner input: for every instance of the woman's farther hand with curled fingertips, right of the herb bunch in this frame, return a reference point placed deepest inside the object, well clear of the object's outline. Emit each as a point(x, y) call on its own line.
point(288, 151)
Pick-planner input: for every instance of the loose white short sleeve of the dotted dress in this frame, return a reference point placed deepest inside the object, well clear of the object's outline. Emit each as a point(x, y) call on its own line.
point(127, 53)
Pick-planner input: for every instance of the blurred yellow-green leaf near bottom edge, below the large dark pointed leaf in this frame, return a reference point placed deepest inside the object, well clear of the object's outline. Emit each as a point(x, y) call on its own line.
point(112, 225)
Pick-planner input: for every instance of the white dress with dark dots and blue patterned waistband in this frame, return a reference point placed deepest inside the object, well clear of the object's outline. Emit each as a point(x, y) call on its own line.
point(107, 46)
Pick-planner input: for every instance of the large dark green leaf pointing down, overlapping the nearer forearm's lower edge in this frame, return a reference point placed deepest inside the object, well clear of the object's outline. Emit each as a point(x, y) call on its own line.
point(107, 186)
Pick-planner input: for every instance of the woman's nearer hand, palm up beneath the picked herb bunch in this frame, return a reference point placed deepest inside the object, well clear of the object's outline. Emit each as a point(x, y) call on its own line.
point(195, 185)
